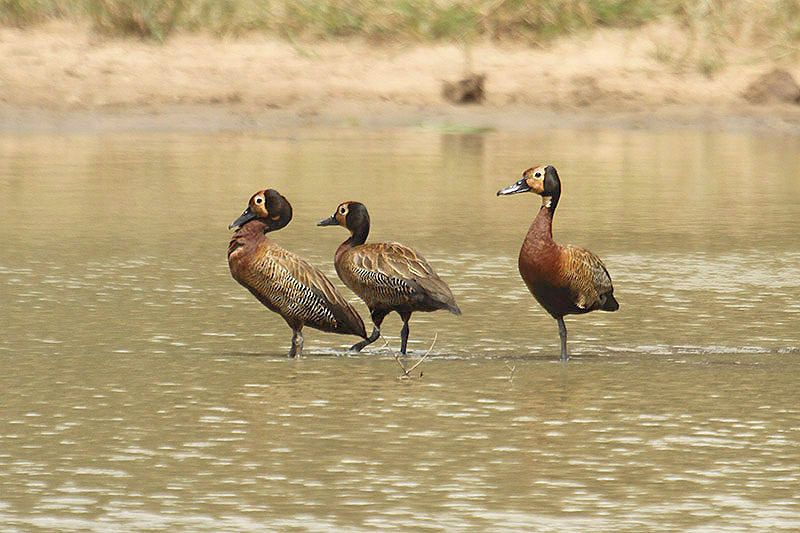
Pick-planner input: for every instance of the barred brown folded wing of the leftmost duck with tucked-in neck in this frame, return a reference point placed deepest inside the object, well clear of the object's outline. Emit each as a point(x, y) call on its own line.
point(301, 293)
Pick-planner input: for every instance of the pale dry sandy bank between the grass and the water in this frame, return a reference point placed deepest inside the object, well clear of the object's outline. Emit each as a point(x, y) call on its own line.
point(61, 77)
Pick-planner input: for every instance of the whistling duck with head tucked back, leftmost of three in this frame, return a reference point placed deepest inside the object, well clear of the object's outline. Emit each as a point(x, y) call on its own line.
point(284, 282)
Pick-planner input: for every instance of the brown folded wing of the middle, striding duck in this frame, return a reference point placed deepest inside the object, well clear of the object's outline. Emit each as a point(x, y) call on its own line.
point(390, 274)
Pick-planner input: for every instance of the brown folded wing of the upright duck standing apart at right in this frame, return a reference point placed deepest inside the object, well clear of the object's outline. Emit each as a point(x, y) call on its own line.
point(585, 276)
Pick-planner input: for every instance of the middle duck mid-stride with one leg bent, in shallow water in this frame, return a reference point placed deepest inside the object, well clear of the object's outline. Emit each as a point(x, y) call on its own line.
point(387, 276)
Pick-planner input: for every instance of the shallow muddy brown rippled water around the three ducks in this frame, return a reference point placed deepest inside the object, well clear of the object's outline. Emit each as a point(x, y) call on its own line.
point(143, 389)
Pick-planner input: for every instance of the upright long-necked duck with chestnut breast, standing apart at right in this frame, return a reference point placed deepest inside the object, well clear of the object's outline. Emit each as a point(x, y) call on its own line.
point(565, 280)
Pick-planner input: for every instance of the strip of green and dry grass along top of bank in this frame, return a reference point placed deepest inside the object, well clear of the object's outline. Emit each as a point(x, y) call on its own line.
point(771, 24)
